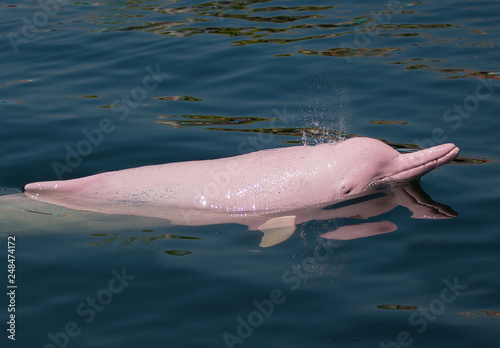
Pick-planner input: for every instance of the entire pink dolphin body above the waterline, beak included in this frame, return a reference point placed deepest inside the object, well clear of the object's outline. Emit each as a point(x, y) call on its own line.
point(267, 181)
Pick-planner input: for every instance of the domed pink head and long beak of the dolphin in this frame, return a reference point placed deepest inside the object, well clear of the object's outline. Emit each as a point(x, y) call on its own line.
point(365, 163)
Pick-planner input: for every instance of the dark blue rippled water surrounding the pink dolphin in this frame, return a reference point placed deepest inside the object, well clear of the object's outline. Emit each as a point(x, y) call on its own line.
point(94, 86)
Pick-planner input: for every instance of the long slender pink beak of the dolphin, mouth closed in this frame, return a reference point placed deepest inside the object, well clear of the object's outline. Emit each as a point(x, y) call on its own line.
point(414, 165)
